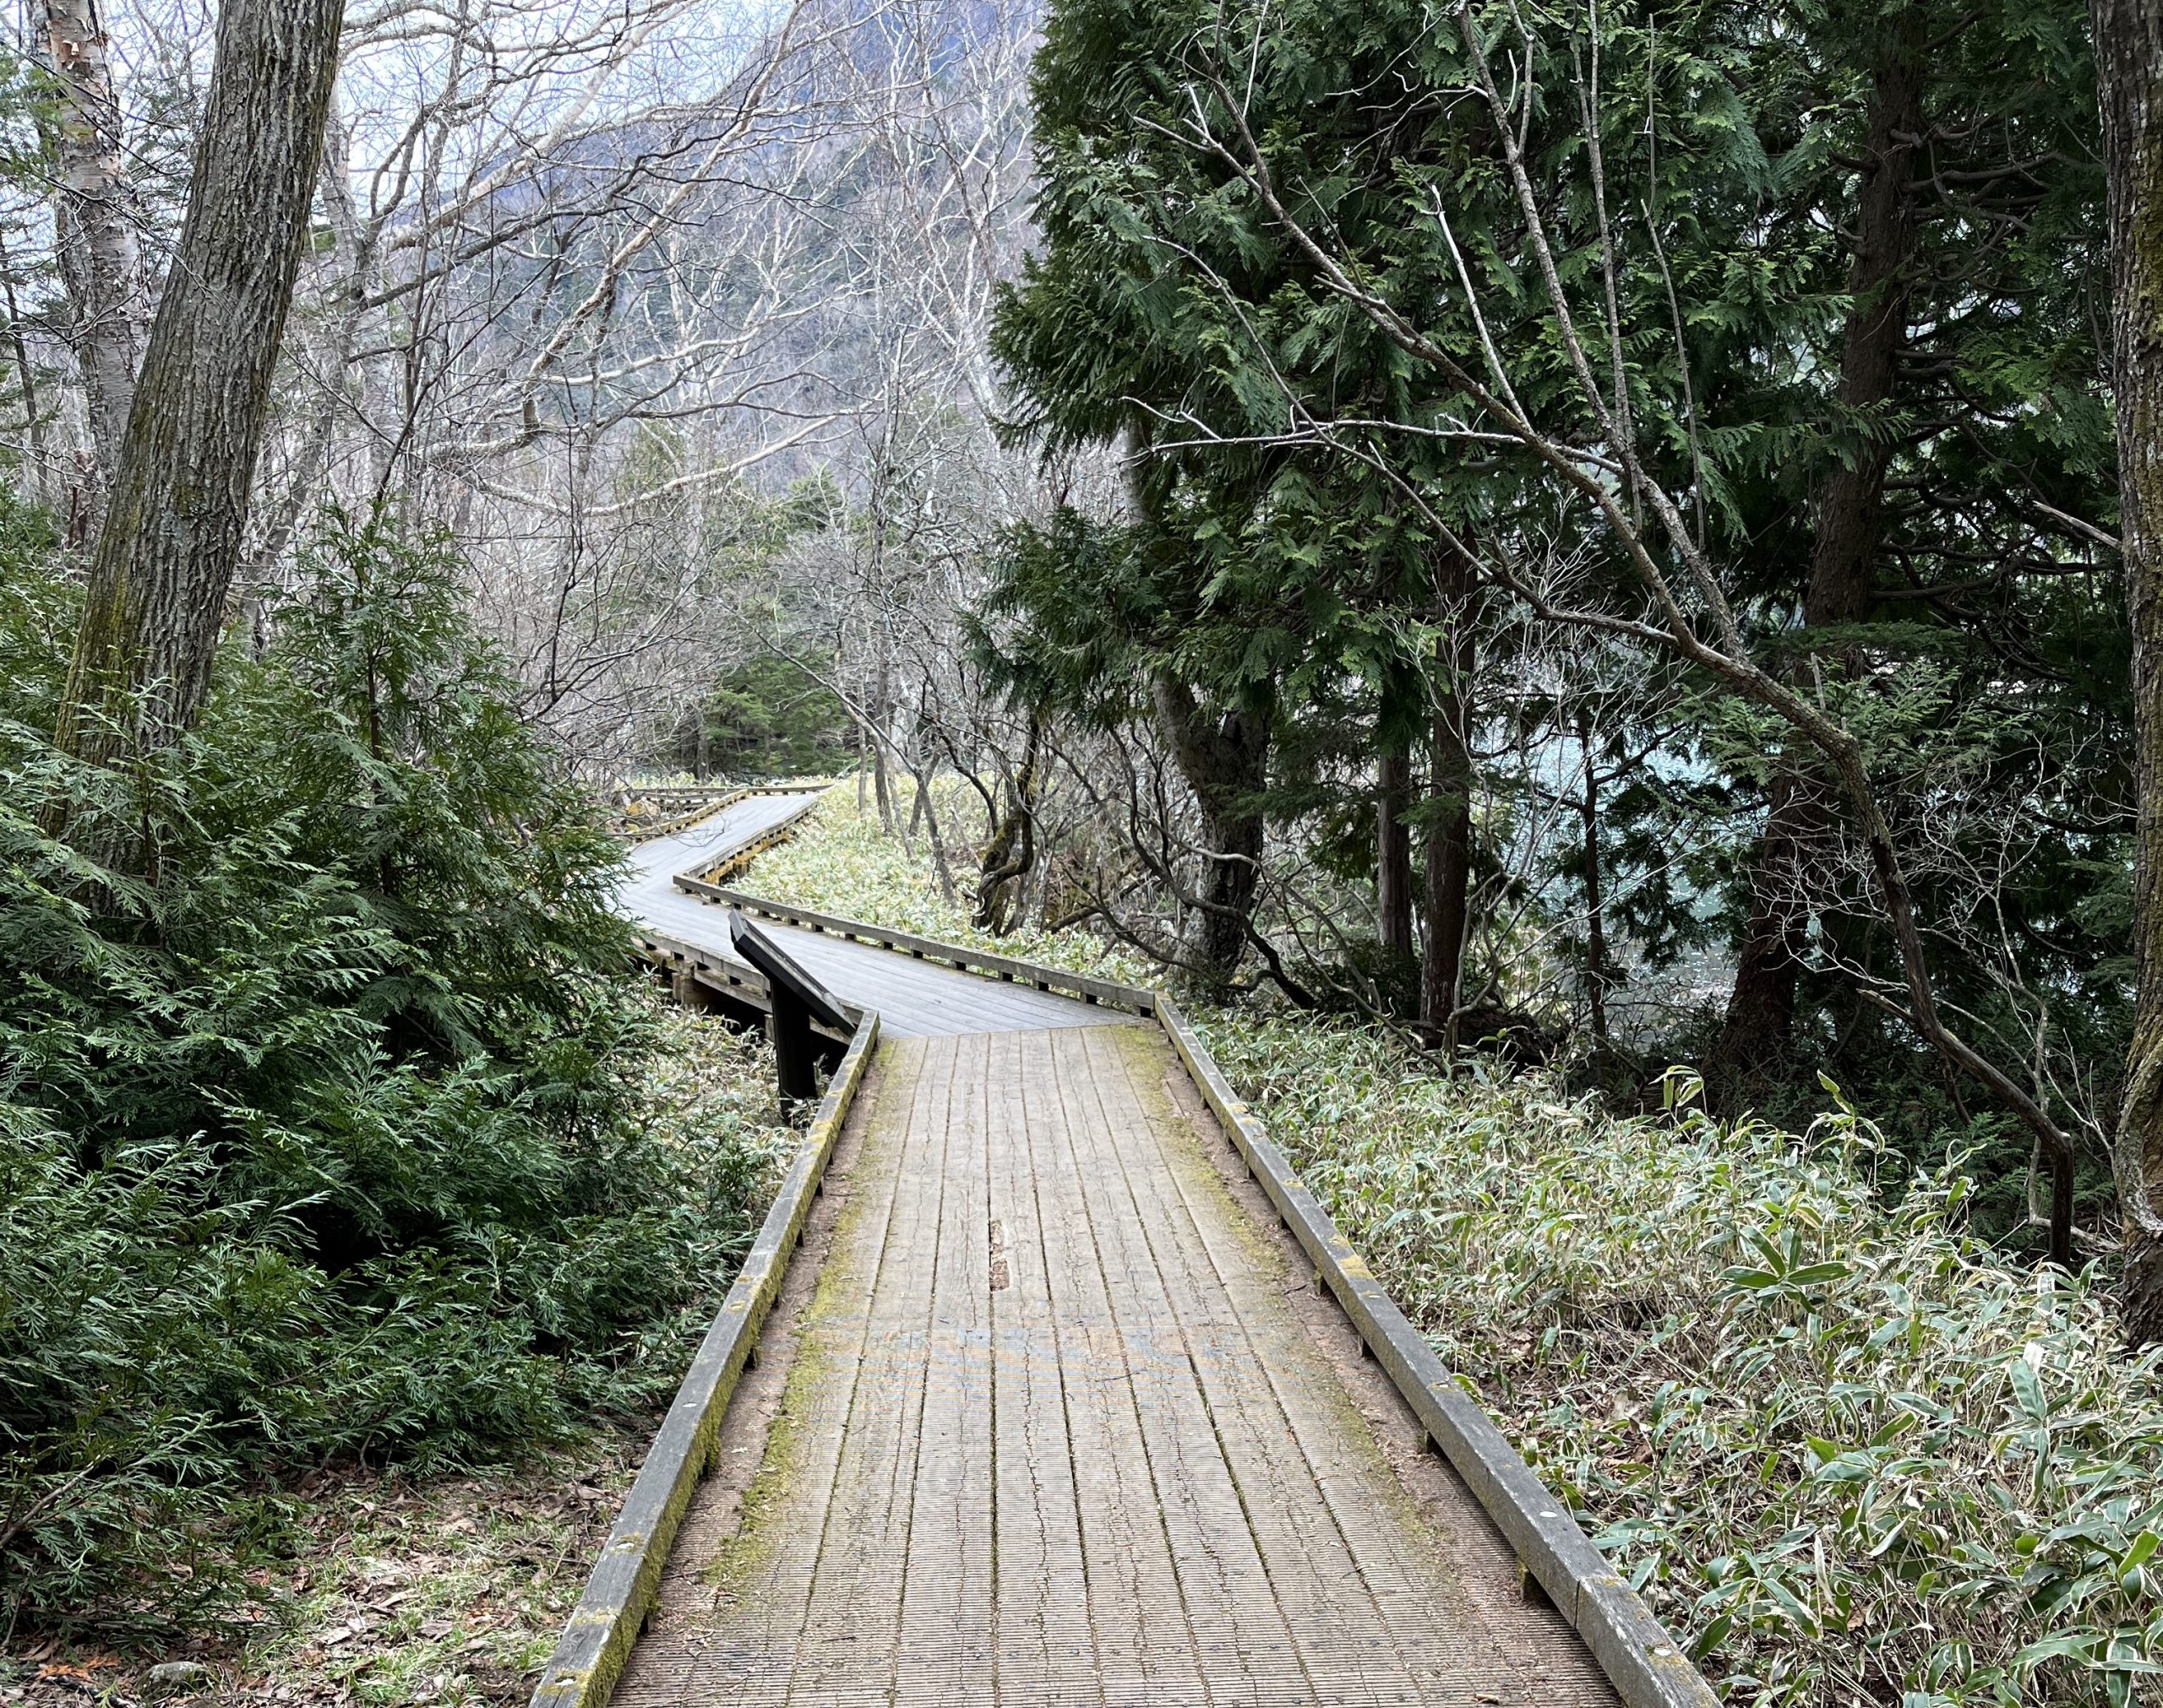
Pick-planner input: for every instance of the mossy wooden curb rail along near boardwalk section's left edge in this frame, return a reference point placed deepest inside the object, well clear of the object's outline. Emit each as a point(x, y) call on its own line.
point(626, 1582)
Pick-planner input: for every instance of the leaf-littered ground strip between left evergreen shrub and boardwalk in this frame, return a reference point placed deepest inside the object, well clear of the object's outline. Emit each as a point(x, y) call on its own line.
point(401, 1584)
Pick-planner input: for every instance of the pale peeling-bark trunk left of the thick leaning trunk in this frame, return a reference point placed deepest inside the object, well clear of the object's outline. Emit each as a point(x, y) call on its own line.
point(94, 228)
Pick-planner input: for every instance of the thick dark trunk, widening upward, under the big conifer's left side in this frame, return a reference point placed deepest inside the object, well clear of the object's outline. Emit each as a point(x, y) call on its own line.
point(1225, 760)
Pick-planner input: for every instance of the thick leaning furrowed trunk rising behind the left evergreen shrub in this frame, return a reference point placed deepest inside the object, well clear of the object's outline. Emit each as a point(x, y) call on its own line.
point(172, 537)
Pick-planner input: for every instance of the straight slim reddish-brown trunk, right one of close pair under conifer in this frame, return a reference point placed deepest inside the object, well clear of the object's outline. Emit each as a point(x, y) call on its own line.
point(1450, 810)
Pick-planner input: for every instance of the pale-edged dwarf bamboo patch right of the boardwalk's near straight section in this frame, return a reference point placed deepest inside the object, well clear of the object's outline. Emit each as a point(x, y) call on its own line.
point(1848, 1452)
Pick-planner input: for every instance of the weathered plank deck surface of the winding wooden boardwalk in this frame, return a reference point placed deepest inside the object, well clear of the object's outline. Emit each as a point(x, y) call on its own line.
point(1052, 1411)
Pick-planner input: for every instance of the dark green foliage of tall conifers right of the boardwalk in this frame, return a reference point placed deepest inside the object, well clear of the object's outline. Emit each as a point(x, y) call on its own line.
point(1297, 472)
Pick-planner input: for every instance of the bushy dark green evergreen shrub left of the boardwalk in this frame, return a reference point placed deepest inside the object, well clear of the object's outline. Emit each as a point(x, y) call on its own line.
point(319, 1095)
